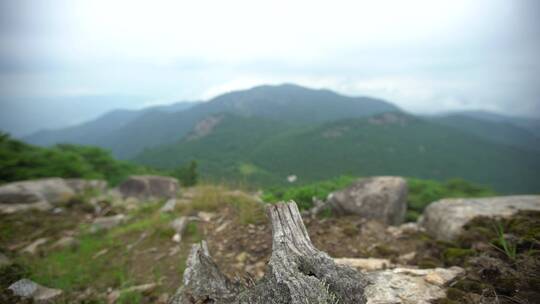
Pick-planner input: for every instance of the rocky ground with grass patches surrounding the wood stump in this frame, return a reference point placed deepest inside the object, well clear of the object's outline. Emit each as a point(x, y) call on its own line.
point(101, 249)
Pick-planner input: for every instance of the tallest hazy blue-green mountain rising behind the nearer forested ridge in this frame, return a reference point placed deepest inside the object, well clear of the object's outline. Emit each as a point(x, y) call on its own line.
point(287, 103)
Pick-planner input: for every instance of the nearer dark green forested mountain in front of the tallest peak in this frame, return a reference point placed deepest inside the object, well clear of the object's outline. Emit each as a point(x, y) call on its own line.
point(265, 151)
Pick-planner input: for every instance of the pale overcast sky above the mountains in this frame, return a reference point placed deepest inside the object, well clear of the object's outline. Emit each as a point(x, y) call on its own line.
point(425, 56)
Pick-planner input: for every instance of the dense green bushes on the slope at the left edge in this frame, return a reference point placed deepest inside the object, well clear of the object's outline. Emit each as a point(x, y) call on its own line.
point(20, 161)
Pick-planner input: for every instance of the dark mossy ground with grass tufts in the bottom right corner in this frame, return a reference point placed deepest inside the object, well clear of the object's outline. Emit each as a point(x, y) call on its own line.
point(501, 258)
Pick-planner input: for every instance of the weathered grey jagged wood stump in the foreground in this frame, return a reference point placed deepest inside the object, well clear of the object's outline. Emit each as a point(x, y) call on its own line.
point(297, 273)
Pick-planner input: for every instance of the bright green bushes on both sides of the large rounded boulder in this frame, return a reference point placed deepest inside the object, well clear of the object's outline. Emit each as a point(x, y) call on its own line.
point(421, 192)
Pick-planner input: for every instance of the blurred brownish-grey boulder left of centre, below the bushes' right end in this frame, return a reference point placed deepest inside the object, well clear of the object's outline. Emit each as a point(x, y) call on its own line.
point(149, 187)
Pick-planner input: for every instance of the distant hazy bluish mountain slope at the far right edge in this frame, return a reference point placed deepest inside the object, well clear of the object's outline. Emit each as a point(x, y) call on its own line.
point(503, 131)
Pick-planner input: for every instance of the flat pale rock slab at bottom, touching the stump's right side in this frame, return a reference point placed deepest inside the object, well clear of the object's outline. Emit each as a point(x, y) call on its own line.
point(403, 285)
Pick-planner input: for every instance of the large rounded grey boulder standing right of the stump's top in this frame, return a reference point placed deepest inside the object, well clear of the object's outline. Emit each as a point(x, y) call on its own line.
point(381, 198)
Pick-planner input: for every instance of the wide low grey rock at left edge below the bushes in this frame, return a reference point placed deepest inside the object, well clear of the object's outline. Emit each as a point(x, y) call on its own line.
point(38, 194)
